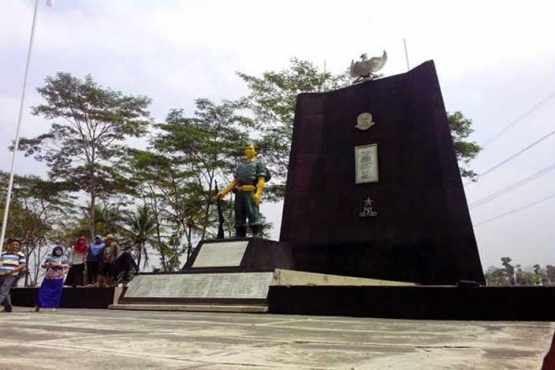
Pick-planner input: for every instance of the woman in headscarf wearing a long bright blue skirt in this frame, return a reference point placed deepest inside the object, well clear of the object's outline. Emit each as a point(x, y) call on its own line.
point(50, 292)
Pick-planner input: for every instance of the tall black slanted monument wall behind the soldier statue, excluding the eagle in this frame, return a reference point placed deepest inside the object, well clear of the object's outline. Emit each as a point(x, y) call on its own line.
point(398, 210)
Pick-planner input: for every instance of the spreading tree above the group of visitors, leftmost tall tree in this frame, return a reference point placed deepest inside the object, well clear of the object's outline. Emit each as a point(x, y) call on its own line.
point(88, 136)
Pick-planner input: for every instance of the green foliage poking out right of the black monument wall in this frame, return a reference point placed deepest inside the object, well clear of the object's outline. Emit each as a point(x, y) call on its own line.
point(465, 150)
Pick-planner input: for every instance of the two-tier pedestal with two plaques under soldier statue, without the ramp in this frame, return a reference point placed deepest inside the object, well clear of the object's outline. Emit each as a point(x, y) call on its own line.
point(220, 272)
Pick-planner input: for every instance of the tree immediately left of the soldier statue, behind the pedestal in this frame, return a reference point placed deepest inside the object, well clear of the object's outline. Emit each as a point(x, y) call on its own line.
point(204, 147)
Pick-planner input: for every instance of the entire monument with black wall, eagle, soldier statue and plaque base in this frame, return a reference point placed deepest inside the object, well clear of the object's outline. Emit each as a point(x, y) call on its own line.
point(373, 198)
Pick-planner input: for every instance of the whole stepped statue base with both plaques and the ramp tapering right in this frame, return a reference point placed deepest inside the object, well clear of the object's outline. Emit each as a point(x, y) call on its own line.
point(233, 275)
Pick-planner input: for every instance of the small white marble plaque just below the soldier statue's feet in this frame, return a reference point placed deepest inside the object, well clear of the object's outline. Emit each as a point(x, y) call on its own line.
point(221, 254)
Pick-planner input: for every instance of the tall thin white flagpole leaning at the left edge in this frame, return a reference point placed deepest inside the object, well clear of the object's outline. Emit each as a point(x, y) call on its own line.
point(16, 141)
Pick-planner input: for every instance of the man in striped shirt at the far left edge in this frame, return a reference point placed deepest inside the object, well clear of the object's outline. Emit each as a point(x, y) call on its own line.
point(12, 262)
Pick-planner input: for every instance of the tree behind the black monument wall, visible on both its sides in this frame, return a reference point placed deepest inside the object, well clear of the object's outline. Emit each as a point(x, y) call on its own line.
point(272, 100)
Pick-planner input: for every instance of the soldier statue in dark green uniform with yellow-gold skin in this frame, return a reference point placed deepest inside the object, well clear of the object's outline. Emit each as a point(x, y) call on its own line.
point(249, 180)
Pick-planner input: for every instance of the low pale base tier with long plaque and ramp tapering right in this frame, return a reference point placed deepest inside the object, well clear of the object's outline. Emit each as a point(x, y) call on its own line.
point(224, 292)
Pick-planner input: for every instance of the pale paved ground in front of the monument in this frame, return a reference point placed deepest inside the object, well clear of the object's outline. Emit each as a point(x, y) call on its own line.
point(102, 339)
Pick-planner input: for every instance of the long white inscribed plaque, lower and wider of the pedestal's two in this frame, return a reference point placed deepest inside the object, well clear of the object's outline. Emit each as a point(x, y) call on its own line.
point(245, 285)
